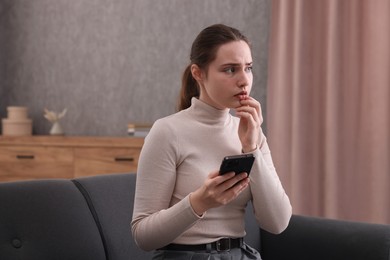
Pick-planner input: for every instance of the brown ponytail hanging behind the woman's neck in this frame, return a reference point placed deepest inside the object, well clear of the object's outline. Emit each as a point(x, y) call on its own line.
point(189, 89)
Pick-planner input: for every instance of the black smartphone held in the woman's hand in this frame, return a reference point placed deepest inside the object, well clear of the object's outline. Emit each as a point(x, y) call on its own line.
point(237, 163)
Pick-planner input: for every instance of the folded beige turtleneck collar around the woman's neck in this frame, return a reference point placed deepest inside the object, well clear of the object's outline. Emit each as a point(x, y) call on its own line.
point(207, 114)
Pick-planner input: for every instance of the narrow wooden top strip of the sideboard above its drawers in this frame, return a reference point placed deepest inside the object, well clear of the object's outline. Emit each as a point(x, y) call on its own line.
point(73, 141)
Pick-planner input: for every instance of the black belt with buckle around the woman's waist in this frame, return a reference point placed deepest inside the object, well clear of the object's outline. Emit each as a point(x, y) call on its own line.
point(224, 244)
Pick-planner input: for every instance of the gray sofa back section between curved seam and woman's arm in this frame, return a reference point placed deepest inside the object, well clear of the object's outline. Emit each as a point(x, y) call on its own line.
point(112, 198)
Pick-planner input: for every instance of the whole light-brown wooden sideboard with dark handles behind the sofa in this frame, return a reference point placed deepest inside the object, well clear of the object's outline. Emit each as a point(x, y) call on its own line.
point(43, 157)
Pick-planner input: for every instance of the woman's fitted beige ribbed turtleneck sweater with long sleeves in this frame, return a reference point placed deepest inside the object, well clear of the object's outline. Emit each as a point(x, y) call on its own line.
point(178, 154)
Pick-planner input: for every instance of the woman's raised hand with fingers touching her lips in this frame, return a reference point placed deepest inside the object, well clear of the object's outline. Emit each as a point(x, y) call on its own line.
point(250, 122)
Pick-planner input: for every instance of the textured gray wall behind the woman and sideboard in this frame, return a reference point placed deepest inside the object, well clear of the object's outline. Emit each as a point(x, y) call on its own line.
point(111, 62)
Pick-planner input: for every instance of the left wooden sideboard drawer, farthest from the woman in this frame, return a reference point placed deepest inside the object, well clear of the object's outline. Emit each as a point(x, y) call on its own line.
point(28, 162)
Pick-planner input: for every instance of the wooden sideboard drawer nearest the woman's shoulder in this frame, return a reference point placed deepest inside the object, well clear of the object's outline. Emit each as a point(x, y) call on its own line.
point(92, 161)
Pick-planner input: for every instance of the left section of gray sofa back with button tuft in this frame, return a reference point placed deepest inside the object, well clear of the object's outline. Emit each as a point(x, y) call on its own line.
point(46, 219)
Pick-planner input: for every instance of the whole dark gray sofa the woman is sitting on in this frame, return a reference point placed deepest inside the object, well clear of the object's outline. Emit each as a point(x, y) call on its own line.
point(89, 219)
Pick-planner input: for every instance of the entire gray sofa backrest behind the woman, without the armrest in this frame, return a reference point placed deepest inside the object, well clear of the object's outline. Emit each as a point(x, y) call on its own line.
point(85, 218)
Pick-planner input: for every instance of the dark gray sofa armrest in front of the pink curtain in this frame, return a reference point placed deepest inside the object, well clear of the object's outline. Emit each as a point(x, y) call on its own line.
point(320, 238)
